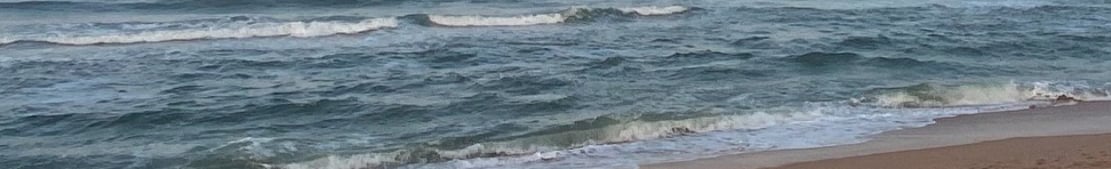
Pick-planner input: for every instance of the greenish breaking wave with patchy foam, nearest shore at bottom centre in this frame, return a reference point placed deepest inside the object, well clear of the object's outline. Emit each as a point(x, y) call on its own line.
point(603, 131)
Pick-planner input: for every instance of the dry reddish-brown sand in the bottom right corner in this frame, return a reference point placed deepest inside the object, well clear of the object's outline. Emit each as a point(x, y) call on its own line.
point(1042, 153)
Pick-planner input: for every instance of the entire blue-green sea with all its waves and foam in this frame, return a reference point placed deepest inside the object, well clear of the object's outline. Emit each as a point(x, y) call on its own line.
point(345, 85)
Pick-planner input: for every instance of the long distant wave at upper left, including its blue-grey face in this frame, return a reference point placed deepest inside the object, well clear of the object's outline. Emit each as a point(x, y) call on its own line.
point(199, 31)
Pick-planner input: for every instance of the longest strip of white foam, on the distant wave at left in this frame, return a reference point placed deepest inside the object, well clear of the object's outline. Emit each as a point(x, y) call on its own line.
point(301, 29)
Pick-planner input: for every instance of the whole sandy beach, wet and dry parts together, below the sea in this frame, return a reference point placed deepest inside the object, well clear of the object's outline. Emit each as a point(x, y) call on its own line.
point(1068, 137)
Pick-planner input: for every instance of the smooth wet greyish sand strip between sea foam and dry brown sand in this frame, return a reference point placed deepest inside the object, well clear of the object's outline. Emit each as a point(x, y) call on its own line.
point(1080, 120)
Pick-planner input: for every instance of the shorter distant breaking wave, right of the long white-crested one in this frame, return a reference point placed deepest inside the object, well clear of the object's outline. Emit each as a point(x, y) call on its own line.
point(548, 18)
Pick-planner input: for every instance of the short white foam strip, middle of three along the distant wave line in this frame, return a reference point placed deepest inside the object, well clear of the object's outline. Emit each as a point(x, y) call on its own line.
point(481, 21)
